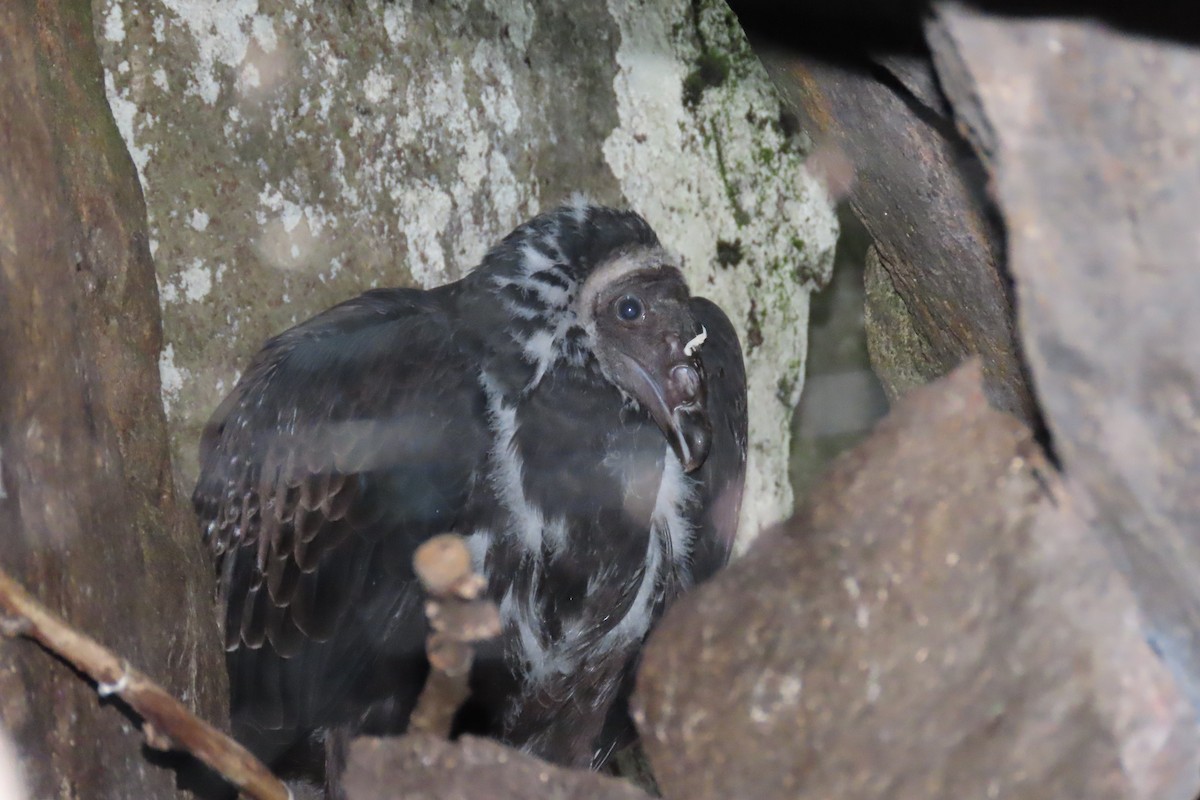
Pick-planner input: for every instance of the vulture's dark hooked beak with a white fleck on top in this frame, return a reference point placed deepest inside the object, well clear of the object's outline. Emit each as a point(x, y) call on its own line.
point(675, 398)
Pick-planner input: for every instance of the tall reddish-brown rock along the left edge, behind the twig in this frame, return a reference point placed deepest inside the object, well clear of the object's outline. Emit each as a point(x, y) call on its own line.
point(88, 516)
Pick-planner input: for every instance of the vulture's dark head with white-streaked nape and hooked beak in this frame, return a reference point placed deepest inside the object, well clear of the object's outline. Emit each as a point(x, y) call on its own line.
point(587, 284)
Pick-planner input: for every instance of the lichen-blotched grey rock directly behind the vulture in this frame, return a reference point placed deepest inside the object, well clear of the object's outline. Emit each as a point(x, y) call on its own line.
point(295, 154)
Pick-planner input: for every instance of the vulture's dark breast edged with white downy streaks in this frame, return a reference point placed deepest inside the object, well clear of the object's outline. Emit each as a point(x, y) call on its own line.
point(591, 520)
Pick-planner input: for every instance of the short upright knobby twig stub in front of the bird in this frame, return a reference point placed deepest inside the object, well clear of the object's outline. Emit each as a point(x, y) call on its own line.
point(459, 619)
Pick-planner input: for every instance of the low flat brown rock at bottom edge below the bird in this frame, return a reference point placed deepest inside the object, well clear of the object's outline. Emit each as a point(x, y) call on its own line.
point(421, 767)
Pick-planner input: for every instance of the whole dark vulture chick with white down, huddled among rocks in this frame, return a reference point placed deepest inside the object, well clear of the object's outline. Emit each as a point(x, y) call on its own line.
point(568, 407)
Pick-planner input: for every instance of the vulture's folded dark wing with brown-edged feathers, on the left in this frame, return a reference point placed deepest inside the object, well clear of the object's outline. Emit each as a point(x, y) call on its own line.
point(350, 440)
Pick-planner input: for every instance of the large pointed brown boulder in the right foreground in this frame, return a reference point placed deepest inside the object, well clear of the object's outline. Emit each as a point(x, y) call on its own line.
point(937, 623)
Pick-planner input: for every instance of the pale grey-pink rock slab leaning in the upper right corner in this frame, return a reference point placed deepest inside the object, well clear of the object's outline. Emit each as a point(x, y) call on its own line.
point(1093, 143)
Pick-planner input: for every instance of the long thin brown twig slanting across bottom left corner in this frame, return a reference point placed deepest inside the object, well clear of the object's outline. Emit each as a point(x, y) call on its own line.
point(166, 724)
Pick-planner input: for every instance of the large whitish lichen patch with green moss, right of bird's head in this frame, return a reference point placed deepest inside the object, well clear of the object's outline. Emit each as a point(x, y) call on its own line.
point(700, 152)
